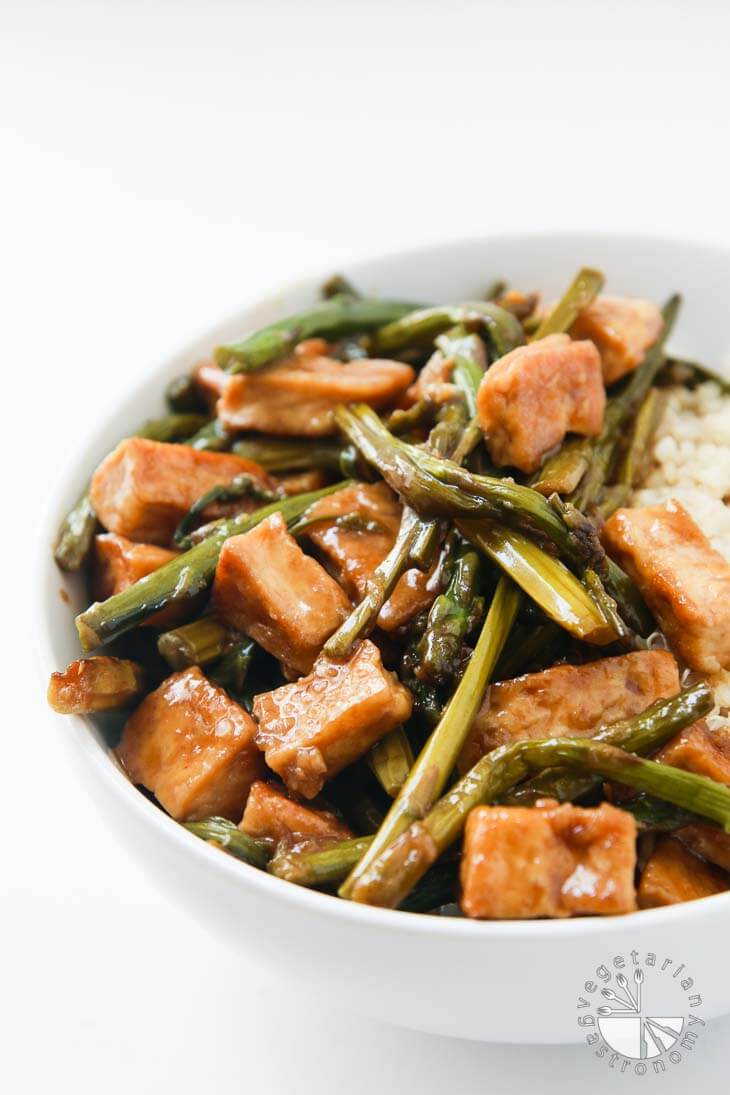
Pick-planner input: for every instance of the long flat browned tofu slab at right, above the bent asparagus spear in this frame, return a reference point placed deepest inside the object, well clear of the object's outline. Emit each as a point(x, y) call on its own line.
point(570, 701)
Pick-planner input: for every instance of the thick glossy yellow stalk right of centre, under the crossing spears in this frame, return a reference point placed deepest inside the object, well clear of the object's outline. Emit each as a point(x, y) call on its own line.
point(544, 579)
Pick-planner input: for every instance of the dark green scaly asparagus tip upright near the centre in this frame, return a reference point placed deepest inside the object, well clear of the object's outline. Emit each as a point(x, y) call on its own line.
point(449, 620)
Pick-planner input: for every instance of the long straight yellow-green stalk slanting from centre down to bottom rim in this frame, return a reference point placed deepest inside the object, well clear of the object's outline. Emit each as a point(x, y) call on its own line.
point(438, 757)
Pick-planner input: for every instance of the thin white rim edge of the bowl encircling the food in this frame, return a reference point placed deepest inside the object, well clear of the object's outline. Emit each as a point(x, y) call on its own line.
point(102, 763)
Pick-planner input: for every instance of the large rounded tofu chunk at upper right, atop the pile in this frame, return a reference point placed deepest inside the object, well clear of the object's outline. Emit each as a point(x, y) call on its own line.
point(530, 399)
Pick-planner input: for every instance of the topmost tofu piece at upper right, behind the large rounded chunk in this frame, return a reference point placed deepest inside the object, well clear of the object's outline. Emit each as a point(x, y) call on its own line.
point(623, 329)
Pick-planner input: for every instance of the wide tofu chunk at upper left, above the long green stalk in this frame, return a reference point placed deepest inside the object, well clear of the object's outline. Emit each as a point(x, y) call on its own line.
point(144, 489)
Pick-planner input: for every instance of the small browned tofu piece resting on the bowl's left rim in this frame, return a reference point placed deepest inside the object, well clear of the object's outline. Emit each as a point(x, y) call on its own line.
point(91, 685)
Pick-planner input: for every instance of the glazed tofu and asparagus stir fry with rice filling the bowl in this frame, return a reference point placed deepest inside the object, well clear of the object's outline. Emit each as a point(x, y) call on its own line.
point(427, 606)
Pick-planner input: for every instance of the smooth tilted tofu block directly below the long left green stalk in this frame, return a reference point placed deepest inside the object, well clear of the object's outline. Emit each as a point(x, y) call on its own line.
point(266, 587)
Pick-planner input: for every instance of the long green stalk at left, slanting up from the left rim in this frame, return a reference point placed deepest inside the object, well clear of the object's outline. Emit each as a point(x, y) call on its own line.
point(183, 578)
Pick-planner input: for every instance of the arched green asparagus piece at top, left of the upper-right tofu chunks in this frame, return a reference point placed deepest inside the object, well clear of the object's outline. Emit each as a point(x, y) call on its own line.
point(503, 331)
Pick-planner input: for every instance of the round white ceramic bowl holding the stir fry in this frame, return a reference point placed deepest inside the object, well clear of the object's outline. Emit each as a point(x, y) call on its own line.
point(514, 982)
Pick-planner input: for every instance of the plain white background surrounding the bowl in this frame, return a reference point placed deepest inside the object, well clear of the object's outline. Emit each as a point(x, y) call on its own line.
point(161, 163)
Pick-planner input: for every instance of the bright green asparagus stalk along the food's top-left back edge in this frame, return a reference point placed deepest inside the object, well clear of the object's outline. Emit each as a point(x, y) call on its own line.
point(338, 317)
